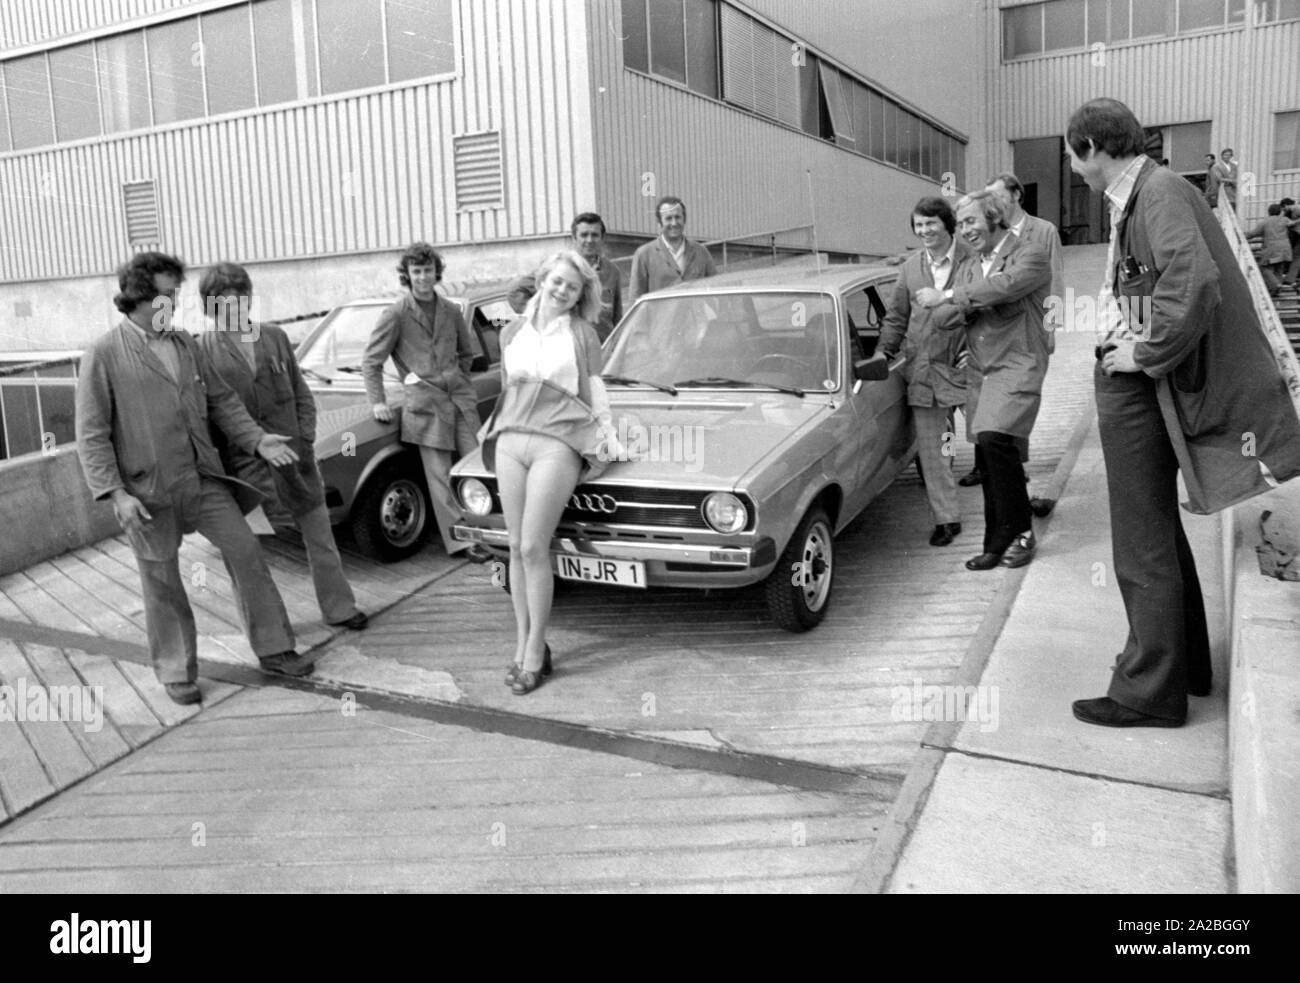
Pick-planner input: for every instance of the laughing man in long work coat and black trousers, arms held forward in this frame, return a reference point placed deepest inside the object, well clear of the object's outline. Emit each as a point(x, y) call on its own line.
point(999, 296)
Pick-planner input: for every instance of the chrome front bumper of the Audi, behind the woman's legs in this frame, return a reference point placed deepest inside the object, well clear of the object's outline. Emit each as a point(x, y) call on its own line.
point(668, 564)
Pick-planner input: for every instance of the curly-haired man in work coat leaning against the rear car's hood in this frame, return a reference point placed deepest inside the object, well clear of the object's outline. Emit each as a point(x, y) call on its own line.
point(431, 345)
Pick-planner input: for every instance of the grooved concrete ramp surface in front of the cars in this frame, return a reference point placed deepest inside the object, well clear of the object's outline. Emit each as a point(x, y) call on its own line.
point(683, 743)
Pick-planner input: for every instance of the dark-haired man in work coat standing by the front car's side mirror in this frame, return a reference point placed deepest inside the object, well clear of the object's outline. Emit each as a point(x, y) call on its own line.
point(935, 382)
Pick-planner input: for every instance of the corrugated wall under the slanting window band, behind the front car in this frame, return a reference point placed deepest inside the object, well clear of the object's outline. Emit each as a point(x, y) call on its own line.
point(739, 174)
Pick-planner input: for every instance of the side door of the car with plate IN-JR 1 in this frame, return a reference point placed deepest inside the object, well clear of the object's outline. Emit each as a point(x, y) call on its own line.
point(882, 436)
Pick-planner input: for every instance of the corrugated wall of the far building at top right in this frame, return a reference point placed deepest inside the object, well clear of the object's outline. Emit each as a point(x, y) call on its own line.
point(1236, 79)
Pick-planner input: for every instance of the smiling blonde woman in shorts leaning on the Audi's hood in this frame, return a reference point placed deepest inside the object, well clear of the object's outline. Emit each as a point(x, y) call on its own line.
point(551, 430)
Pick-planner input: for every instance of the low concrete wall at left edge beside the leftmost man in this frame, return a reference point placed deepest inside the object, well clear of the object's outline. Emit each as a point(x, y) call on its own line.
point(46, 510)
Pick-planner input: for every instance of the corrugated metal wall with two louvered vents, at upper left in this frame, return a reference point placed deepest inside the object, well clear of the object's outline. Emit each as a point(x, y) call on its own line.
point(335, 176)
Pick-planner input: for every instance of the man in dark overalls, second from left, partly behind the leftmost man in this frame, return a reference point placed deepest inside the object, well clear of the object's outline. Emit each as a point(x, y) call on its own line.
point(258, 362)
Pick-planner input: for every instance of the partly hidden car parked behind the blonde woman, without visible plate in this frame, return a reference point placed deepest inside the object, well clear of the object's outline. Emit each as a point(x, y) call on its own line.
point(374, 483)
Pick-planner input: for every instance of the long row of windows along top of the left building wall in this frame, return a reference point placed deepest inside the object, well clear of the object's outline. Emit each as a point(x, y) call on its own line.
point(241, 58)
